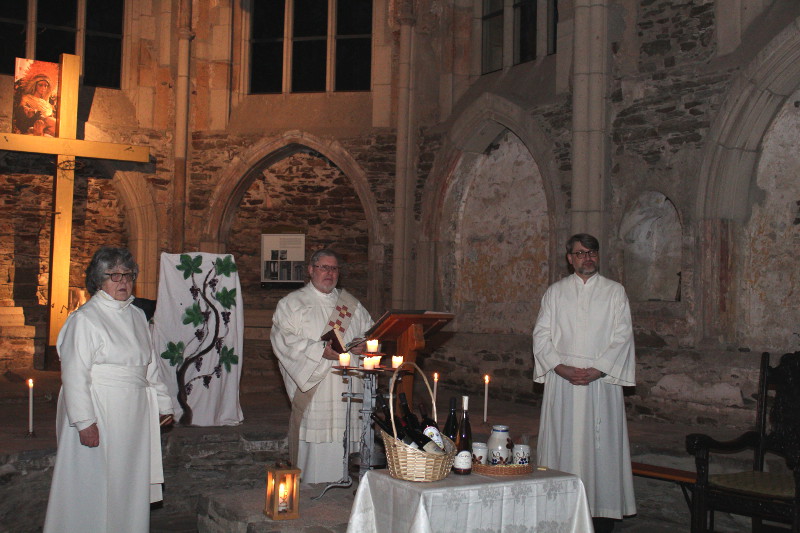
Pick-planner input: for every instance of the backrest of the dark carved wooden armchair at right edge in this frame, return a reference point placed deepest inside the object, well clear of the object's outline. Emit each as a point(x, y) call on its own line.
point(782, 435)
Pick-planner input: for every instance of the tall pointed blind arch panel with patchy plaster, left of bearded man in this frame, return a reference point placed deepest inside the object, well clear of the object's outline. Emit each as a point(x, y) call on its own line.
point(495, 235)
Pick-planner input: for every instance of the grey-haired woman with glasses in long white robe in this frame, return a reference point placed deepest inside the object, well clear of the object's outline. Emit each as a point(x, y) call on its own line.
point(108, 466)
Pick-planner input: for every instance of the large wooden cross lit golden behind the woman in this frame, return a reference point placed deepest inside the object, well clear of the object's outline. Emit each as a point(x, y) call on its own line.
point(66, 147)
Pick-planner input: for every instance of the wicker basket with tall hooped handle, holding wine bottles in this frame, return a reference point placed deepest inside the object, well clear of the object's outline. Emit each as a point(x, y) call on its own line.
point(412, 464)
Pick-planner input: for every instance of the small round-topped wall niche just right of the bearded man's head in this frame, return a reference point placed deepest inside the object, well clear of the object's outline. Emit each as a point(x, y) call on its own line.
point(651, 236)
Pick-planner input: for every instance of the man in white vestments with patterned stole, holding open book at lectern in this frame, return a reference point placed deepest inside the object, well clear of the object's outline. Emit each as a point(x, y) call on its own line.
point(318, 411)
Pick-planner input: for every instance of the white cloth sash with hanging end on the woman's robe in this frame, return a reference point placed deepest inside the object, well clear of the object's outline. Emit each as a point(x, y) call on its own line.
point(122, 376)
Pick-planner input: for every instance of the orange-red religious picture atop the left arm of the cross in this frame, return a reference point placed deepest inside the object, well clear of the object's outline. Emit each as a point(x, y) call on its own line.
point(35, 98)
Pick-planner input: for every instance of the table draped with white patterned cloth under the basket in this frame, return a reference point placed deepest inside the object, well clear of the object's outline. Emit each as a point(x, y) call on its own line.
point(543, 501)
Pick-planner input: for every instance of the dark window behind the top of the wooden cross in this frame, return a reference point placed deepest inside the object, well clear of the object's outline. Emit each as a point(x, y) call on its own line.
point(91, 29)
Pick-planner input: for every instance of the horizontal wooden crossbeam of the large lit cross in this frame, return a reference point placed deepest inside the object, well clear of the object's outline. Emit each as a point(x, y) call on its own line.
point(74, 147)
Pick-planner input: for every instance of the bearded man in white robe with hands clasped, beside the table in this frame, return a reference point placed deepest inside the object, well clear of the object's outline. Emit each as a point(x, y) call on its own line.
point(584, 354)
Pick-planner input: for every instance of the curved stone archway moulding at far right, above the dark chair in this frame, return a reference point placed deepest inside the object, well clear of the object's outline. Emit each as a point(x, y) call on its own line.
point(727, 187)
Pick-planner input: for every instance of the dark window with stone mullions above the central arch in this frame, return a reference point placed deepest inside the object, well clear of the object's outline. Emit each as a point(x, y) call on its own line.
point(310, 46)
